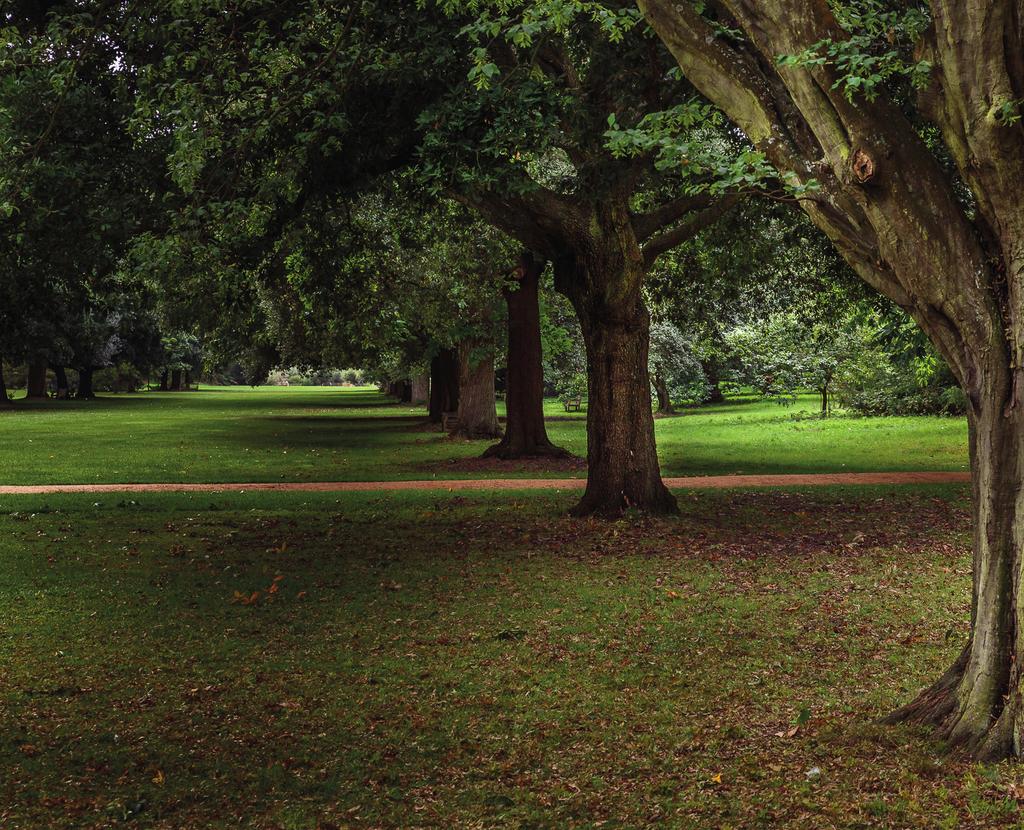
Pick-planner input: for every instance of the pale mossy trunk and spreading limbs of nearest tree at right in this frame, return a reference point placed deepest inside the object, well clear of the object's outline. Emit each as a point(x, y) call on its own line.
point(895, 214)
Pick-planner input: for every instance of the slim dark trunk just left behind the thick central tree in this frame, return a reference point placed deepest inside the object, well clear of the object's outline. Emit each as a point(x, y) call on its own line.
point(526, 434)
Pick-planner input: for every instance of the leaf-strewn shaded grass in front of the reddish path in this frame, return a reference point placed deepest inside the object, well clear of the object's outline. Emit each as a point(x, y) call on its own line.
point(290, 661)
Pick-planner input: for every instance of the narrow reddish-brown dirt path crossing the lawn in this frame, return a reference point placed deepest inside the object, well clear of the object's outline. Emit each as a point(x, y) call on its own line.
point(695, 483)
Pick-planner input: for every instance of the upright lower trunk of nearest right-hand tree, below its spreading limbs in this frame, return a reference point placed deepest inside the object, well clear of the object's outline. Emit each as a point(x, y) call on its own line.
point(977, 705)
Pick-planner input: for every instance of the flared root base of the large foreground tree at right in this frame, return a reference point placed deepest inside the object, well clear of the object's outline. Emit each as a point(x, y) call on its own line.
point(979, 734)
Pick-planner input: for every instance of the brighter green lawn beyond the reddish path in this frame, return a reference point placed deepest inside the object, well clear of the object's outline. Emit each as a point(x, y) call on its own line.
point(308, 434)
